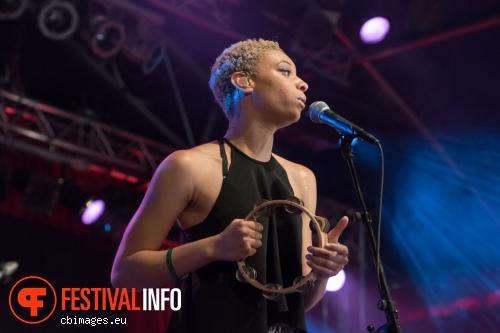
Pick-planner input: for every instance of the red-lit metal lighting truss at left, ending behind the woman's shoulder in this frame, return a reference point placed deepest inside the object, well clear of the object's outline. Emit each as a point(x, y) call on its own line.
point(59, 135)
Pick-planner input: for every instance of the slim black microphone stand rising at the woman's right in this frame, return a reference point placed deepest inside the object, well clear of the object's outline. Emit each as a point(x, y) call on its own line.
point(385, 303)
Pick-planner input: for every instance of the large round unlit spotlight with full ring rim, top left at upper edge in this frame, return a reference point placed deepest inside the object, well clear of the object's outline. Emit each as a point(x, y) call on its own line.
point(58, 20)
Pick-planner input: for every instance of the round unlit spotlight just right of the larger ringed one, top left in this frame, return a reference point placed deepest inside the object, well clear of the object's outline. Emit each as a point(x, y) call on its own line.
point(106, 36)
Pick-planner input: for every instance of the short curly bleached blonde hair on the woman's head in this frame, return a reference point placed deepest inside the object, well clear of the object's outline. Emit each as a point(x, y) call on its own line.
point(240, 57)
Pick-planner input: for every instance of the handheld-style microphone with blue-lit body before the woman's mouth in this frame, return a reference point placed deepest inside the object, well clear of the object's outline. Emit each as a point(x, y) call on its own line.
point(319, 112)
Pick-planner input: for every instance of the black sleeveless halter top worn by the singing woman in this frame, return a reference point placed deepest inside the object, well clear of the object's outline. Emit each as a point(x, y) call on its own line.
point(213, 300)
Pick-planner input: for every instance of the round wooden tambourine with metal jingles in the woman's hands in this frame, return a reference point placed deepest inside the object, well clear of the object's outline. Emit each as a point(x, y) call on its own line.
point(302, 284)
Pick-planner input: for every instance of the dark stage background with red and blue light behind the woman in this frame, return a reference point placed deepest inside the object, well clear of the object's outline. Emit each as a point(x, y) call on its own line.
point(100, 116)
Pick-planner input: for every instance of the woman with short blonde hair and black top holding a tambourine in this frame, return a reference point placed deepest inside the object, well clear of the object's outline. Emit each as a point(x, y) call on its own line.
point(210, 188)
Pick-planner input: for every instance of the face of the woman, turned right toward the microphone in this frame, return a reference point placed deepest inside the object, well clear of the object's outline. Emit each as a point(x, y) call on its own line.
point(277, 90)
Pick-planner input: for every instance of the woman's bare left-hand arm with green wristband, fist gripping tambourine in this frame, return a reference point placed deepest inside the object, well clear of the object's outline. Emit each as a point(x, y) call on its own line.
point(139, 263)
